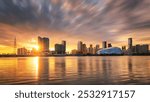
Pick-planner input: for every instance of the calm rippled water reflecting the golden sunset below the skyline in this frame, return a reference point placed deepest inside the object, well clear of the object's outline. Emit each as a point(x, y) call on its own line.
point(96, 70)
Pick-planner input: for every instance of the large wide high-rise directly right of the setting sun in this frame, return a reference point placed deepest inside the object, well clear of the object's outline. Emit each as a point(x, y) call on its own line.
point(43, 44)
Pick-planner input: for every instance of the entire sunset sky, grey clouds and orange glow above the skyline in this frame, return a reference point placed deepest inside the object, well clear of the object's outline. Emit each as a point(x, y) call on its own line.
point(90, 21)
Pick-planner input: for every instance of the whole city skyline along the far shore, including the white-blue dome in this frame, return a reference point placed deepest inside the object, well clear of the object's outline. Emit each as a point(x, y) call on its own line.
point(82, 48)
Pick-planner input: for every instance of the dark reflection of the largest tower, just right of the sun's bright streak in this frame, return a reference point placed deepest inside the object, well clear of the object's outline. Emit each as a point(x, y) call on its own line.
point(43, 70)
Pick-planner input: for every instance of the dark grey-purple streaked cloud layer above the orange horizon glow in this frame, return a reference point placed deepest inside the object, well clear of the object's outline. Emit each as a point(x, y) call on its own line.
point(99, 17)
